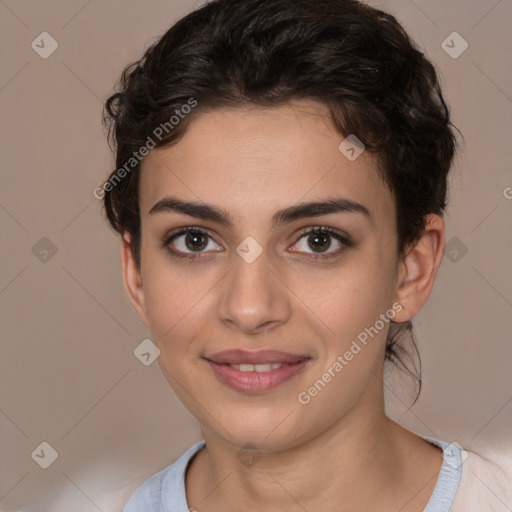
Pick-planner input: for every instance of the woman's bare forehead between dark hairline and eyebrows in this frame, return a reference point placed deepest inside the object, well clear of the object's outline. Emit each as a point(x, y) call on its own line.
point(253, 161)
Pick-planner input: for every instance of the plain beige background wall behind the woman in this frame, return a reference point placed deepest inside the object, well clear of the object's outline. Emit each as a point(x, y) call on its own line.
point(68, 375)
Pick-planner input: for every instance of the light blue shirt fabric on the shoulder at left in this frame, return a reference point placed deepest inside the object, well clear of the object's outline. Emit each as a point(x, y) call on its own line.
point(166, 487)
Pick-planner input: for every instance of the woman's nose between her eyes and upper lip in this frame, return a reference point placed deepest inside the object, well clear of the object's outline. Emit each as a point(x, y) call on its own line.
point(253, 300)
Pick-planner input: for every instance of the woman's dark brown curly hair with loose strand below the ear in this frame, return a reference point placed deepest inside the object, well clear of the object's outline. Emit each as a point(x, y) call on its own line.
point(356, 60)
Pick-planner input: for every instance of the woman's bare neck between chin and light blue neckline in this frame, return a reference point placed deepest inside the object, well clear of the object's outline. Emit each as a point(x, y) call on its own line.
point(362, 462)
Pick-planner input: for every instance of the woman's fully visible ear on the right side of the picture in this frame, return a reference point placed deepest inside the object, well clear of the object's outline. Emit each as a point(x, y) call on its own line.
point(418, 269)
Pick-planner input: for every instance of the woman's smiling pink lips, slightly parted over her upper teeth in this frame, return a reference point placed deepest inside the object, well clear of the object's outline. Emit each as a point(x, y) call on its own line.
point(256, 382)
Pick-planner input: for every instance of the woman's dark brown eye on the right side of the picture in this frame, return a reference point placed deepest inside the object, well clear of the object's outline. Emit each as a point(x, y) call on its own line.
point(321, 242)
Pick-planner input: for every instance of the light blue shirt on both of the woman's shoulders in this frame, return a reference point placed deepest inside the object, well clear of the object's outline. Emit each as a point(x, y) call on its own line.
point(165, 491)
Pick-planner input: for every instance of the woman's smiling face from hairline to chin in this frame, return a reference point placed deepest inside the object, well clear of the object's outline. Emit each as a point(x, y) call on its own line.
point(267, 289)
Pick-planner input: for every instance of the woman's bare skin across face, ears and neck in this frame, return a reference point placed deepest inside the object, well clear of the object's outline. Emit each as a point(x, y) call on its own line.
point(339, 452)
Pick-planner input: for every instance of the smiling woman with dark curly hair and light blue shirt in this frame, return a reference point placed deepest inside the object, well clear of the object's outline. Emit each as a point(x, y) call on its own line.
point(281, 173)
